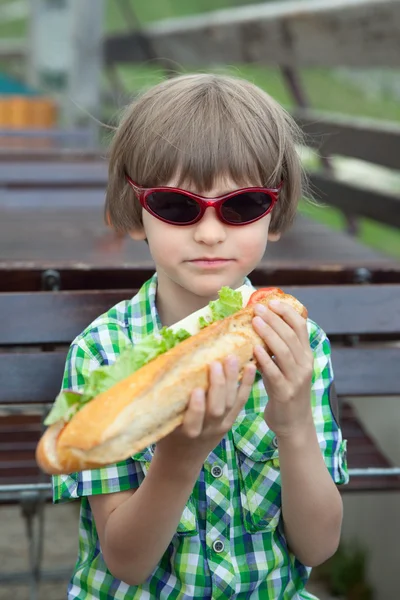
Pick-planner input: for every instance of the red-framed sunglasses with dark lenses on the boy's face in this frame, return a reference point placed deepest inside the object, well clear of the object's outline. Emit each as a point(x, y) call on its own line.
point(179, 207)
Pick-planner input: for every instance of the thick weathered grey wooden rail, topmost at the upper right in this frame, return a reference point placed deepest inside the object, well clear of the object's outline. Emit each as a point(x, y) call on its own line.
point(360, 33)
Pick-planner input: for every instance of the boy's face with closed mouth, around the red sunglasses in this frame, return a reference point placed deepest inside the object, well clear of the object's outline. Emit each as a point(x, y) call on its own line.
point(178, 251)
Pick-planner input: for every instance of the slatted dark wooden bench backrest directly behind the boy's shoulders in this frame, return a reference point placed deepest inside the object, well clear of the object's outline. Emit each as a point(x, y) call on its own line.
point(53, 319)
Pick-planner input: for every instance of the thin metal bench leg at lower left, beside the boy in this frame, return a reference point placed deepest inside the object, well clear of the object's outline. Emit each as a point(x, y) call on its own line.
point(32, 505)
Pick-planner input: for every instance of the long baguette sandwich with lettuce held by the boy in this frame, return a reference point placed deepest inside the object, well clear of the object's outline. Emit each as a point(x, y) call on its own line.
point(130, 405)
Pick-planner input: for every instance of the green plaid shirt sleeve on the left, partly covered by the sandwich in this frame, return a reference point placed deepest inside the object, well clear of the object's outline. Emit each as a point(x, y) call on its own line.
point(118, 477)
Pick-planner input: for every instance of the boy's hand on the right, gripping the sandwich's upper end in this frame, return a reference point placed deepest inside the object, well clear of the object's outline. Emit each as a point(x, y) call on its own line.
point(287, 377)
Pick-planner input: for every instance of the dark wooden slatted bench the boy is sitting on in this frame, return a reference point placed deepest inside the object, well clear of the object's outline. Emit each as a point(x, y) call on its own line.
point(362, 321)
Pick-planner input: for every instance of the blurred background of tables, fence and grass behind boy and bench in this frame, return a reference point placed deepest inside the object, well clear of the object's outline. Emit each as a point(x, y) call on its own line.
point(67, 69)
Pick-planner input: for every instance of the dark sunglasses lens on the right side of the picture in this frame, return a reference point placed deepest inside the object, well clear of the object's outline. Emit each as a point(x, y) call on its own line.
point(246, 207)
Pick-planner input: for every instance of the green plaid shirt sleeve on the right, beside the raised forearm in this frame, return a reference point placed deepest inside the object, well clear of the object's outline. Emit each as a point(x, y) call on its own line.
point(323, 399)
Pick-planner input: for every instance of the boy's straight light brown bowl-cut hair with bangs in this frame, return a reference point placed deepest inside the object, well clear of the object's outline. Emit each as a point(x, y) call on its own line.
point(198, 128)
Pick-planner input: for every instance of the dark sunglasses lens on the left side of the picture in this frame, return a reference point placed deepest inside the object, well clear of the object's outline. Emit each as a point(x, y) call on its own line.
point(173, 206)
